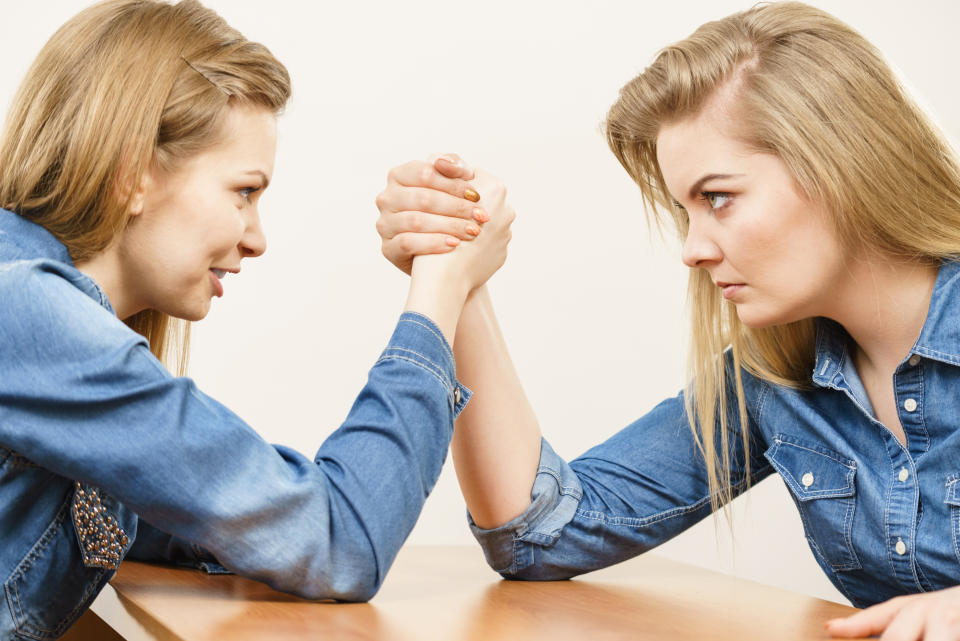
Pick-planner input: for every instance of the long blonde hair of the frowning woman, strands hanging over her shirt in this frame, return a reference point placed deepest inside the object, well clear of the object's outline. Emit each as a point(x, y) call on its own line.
point(812, 91)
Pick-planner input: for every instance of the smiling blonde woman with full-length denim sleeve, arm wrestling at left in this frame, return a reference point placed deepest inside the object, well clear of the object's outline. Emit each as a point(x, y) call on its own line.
point(131, 168)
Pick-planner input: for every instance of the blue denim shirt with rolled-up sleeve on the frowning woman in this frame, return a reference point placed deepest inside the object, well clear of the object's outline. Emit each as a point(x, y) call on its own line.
point(882, 519)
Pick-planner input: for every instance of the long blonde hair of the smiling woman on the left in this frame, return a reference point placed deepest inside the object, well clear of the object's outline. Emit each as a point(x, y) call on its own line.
point(123, 84)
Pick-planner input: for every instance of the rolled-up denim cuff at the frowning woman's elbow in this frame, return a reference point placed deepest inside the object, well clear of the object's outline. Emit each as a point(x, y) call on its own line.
point(553, 503)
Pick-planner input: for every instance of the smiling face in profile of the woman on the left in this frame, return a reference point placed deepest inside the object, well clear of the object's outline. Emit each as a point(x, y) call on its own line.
point(199, 222)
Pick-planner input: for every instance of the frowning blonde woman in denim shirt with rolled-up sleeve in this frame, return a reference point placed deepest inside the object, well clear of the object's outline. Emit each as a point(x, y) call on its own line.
point(820, 216)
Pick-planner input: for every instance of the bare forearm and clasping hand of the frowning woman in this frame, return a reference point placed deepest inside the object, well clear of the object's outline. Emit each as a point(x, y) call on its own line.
point(496, 444)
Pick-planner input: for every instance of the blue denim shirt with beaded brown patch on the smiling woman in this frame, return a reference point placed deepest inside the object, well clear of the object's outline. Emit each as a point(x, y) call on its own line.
point(105, 455)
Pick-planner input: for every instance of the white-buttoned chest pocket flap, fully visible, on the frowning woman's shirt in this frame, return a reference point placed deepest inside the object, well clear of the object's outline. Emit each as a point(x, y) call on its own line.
point(812, 471)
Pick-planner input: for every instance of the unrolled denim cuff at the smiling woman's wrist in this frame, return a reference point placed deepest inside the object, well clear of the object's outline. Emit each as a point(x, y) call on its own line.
point(418, 339)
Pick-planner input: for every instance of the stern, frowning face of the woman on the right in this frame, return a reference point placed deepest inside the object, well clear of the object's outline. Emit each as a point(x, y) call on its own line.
point(773, 252)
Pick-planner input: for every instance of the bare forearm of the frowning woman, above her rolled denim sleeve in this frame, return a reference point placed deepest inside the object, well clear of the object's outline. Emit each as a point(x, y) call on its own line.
point(496, 441)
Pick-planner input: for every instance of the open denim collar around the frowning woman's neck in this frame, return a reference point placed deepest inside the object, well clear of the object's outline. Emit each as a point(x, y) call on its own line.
point(939, 338)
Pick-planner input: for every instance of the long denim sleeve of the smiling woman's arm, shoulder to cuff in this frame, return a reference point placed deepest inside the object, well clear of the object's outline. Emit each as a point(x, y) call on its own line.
point(81, 395)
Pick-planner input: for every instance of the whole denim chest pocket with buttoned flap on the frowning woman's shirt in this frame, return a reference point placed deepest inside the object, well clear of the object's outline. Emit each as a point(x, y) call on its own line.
point(822, 484)
